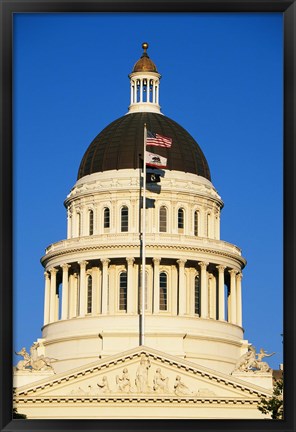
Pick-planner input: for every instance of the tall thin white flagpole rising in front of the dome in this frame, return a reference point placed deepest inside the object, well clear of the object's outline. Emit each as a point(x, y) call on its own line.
point(142, 334)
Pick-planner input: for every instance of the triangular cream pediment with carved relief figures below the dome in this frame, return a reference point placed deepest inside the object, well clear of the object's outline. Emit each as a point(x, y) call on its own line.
point(141, 373)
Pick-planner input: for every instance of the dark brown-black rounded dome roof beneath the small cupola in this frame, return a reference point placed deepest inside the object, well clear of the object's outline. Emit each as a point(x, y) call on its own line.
point(119, 145)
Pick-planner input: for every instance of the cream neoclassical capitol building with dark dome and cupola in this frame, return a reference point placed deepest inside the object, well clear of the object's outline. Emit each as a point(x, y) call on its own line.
point(103, 354)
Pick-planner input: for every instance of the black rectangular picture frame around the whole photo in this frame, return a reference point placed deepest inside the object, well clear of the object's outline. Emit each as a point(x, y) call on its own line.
point(7, 9)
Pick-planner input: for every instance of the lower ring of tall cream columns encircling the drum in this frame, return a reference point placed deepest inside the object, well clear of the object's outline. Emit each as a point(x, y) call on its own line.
point(220, 289)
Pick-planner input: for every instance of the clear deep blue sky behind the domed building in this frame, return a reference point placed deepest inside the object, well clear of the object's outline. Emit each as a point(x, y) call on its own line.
point(222, 80)
